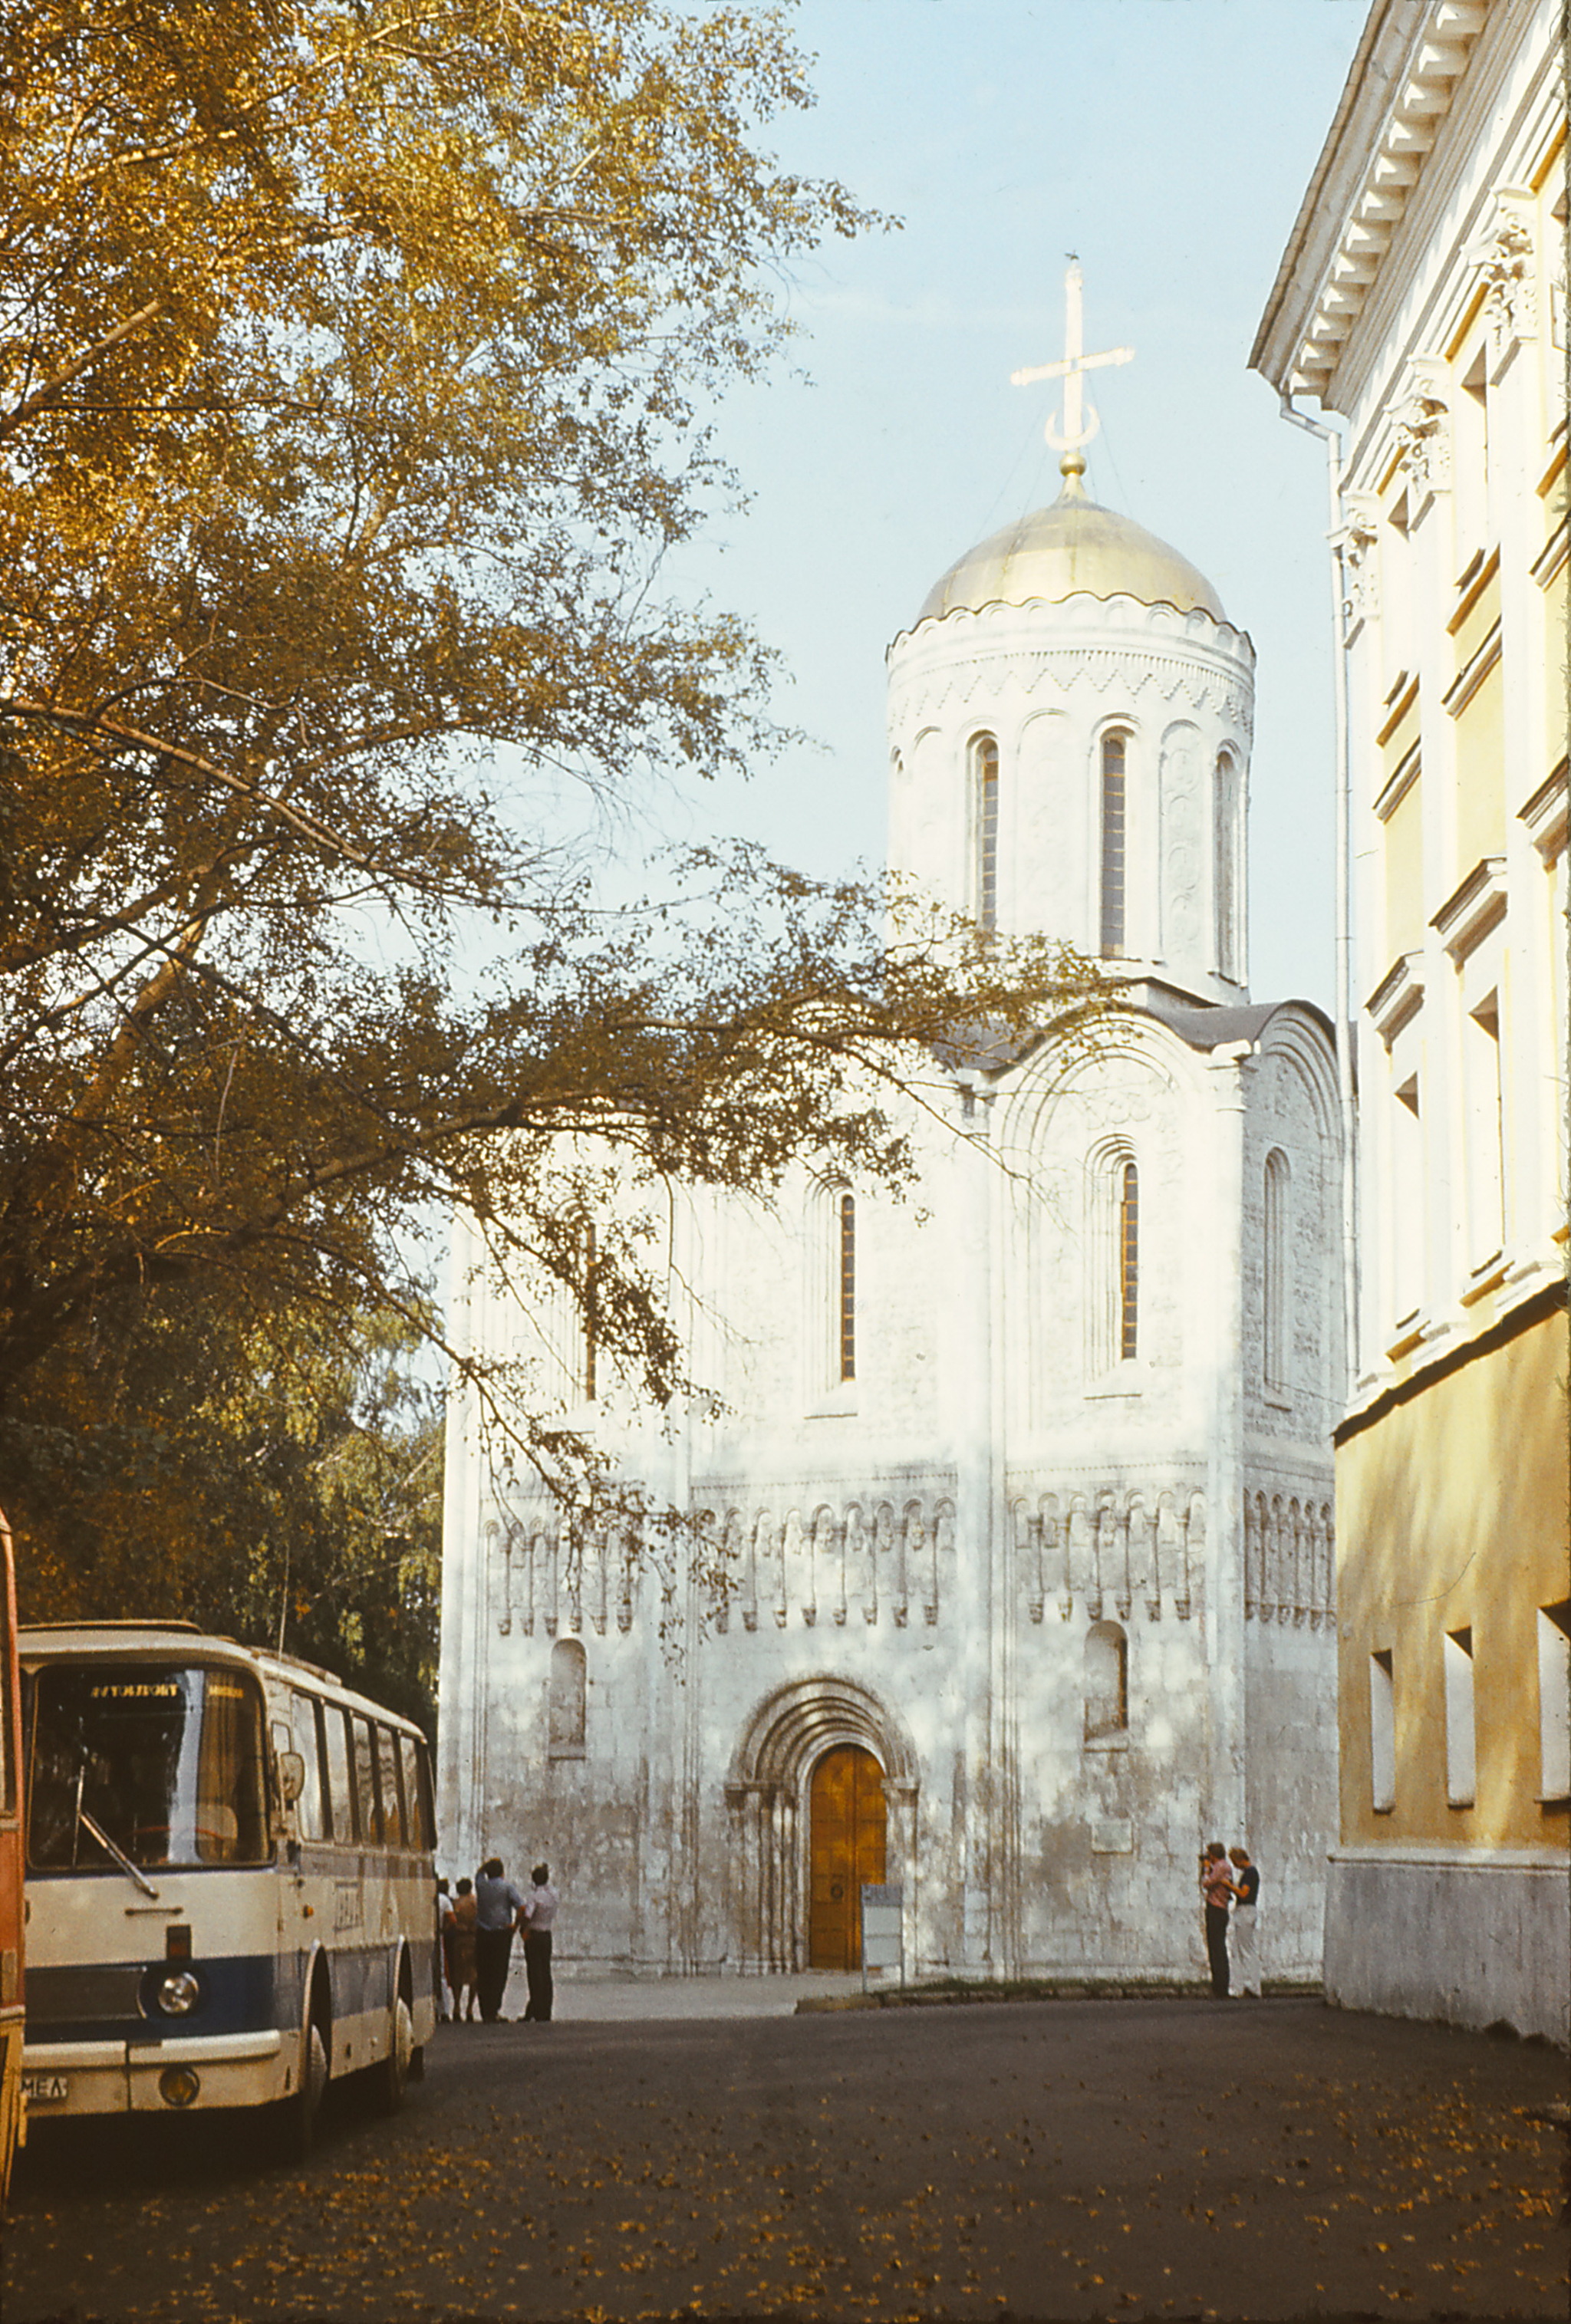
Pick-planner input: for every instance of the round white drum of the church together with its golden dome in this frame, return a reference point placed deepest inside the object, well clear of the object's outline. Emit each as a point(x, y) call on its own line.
point(1114, 726)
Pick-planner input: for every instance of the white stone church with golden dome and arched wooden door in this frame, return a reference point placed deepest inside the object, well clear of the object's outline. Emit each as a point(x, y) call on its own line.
point(1024, 1479)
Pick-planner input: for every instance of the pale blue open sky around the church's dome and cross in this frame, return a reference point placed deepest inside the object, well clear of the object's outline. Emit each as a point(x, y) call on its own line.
point(1170, 145)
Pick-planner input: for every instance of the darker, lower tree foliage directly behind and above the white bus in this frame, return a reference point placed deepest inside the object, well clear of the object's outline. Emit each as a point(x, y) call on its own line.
point(280, 1489)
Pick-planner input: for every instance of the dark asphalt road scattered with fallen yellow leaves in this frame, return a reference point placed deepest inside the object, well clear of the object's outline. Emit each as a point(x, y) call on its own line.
point(1010, 2160)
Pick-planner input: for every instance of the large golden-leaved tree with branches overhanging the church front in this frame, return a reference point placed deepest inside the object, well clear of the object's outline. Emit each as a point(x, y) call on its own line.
point(350, 378)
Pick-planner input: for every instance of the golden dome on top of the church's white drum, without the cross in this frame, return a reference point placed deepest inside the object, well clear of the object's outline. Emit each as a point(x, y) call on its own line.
point(1066, 552)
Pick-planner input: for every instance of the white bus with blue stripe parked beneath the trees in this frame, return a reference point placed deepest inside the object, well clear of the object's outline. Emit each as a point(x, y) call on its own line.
point(231, 1895)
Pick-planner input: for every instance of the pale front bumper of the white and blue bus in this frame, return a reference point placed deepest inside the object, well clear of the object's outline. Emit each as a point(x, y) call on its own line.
point(155, 2079)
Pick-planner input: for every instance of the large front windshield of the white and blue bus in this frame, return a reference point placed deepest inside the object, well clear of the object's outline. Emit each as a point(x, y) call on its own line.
point(145, 1765)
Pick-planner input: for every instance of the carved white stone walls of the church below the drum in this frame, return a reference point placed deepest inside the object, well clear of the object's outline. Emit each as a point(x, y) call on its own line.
point(859, 1561)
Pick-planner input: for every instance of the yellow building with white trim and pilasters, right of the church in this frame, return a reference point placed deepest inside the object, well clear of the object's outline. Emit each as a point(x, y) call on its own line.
point(1423, 303)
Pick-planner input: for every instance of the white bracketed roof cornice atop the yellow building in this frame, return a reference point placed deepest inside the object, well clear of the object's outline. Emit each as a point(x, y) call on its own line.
point(1400, 89)
